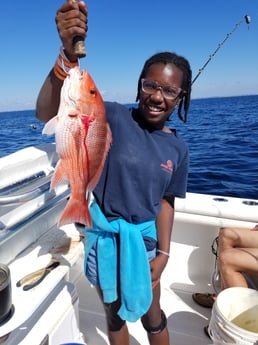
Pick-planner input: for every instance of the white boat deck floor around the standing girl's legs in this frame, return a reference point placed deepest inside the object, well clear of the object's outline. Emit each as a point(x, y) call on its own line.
point(185, 318)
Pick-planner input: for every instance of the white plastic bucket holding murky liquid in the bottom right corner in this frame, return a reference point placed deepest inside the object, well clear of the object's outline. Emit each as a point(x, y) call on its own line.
point(234, 317)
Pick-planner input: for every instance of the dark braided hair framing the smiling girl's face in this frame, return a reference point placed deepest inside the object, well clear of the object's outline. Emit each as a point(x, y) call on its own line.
point(181, 63)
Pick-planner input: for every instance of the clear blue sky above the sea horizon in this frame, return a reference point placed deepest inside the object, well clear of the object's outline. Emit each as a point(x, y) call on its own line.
point(121, 36)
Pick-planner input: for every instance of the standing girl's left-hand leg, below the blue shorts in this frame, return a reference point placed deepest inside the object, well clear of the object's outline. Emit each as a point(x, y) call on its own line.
point(117, 329)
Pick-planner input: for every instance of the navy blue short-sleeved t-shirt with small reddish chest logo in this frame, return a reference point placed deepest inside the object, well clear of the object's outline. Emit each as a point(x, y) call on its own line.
point(141, 168)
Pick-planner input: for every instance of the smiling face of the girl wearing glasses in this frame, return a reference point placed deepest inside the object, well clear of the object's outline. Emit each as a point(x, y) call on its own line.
point(155, 106)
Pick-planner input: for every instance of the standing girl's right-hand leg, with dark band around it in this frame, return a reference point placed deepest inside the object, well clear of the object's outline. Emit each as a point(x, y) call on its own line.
point(155, 322)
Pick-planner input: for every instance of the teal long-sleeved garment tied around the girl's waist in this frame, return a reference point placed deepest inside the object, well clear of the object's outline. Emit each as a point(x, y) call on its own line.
point(135, 278)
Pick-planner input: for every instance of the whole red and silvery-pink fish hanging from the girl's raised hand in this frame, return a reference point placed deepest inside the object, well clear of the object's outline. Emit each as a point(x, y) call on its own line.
point(83, 138)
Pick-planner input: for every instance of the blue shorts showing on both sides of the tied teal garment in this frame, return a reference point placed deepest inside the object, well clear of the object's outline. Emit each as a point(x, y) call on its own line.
point(92, 267)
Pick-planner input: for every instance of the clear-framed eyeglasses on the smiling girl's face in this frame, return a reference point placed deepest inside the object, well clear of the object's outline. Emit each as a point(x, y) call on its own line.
point(169, 92)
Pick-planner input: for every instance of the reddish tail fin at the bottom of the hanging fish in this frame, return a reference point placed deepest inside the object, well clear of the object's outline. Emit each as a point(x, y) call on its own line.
point(75, 212)
